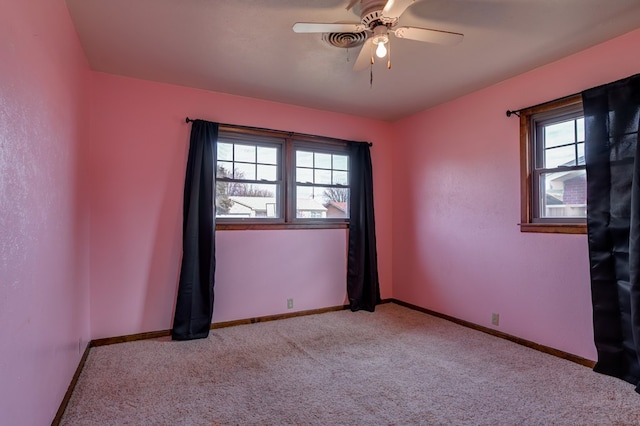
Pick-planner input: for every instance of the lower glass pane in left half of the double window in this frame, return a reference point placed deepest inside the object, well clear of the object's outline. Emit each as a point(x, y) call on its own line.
point(237, 200)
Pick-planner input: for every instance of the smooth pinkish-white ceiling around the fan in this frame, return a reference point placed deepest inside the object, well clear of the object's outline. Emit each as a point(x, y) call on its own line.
point(247, 47)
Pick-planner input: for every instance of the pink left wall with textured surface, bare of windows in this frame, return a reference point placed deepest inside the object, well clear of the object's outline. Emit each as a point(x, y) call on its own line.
point(44, 278)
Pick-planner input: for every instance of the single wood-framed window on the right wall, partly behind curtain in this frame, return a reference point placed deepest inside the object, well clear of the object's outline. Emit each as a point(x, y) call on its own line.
point(553, 167)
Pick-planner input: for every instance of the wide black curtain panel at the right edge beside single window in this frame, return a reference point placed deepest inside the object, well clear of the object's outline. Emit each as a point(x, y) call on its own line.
point(612, 113)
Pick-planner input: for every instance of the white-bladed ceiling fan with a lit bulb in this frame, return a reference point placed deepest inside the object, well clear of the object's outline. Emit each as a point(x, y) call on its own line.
point(379, 19)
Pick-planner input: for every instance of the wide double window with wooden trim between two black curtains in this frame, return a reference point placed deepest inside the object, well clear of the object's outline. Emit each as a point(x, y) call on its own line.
point(275, 179)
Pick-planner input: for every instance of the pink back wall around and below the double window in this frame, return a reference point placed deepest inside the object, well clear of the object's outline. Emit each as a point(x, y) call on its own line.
point(139, 143)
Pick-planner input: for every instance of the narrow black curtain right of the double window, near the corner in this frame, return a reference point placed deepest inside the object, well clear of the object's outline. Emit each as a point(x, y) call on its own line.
point(363, 287)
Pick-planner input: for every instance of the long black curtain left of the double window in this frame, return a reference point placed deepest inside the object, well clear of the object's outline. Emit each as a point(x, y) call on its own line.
point(194, 304)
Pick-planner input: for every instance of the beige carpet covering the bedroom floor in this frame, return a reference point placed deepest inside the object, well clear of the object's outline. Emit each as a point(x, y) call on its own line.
point(393, 367)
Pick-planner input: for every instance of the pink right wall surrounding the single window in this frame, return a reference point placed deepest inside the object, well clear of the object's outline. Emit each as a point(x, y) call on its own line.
point(457, 247)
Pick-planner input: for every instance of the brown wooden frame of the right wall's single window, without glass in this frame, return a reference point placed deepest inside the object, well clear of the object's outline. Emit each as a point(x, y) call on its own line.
point(569, 107)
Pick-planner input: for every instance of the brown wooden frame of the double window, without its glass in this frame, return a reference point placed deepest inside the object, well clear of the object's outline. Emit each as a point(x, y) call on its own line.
point(286, 173)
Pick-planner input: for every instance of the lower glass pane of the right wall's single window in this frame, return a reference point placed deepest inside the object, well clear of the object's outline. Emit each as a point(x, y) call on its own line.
point(563, 194)
